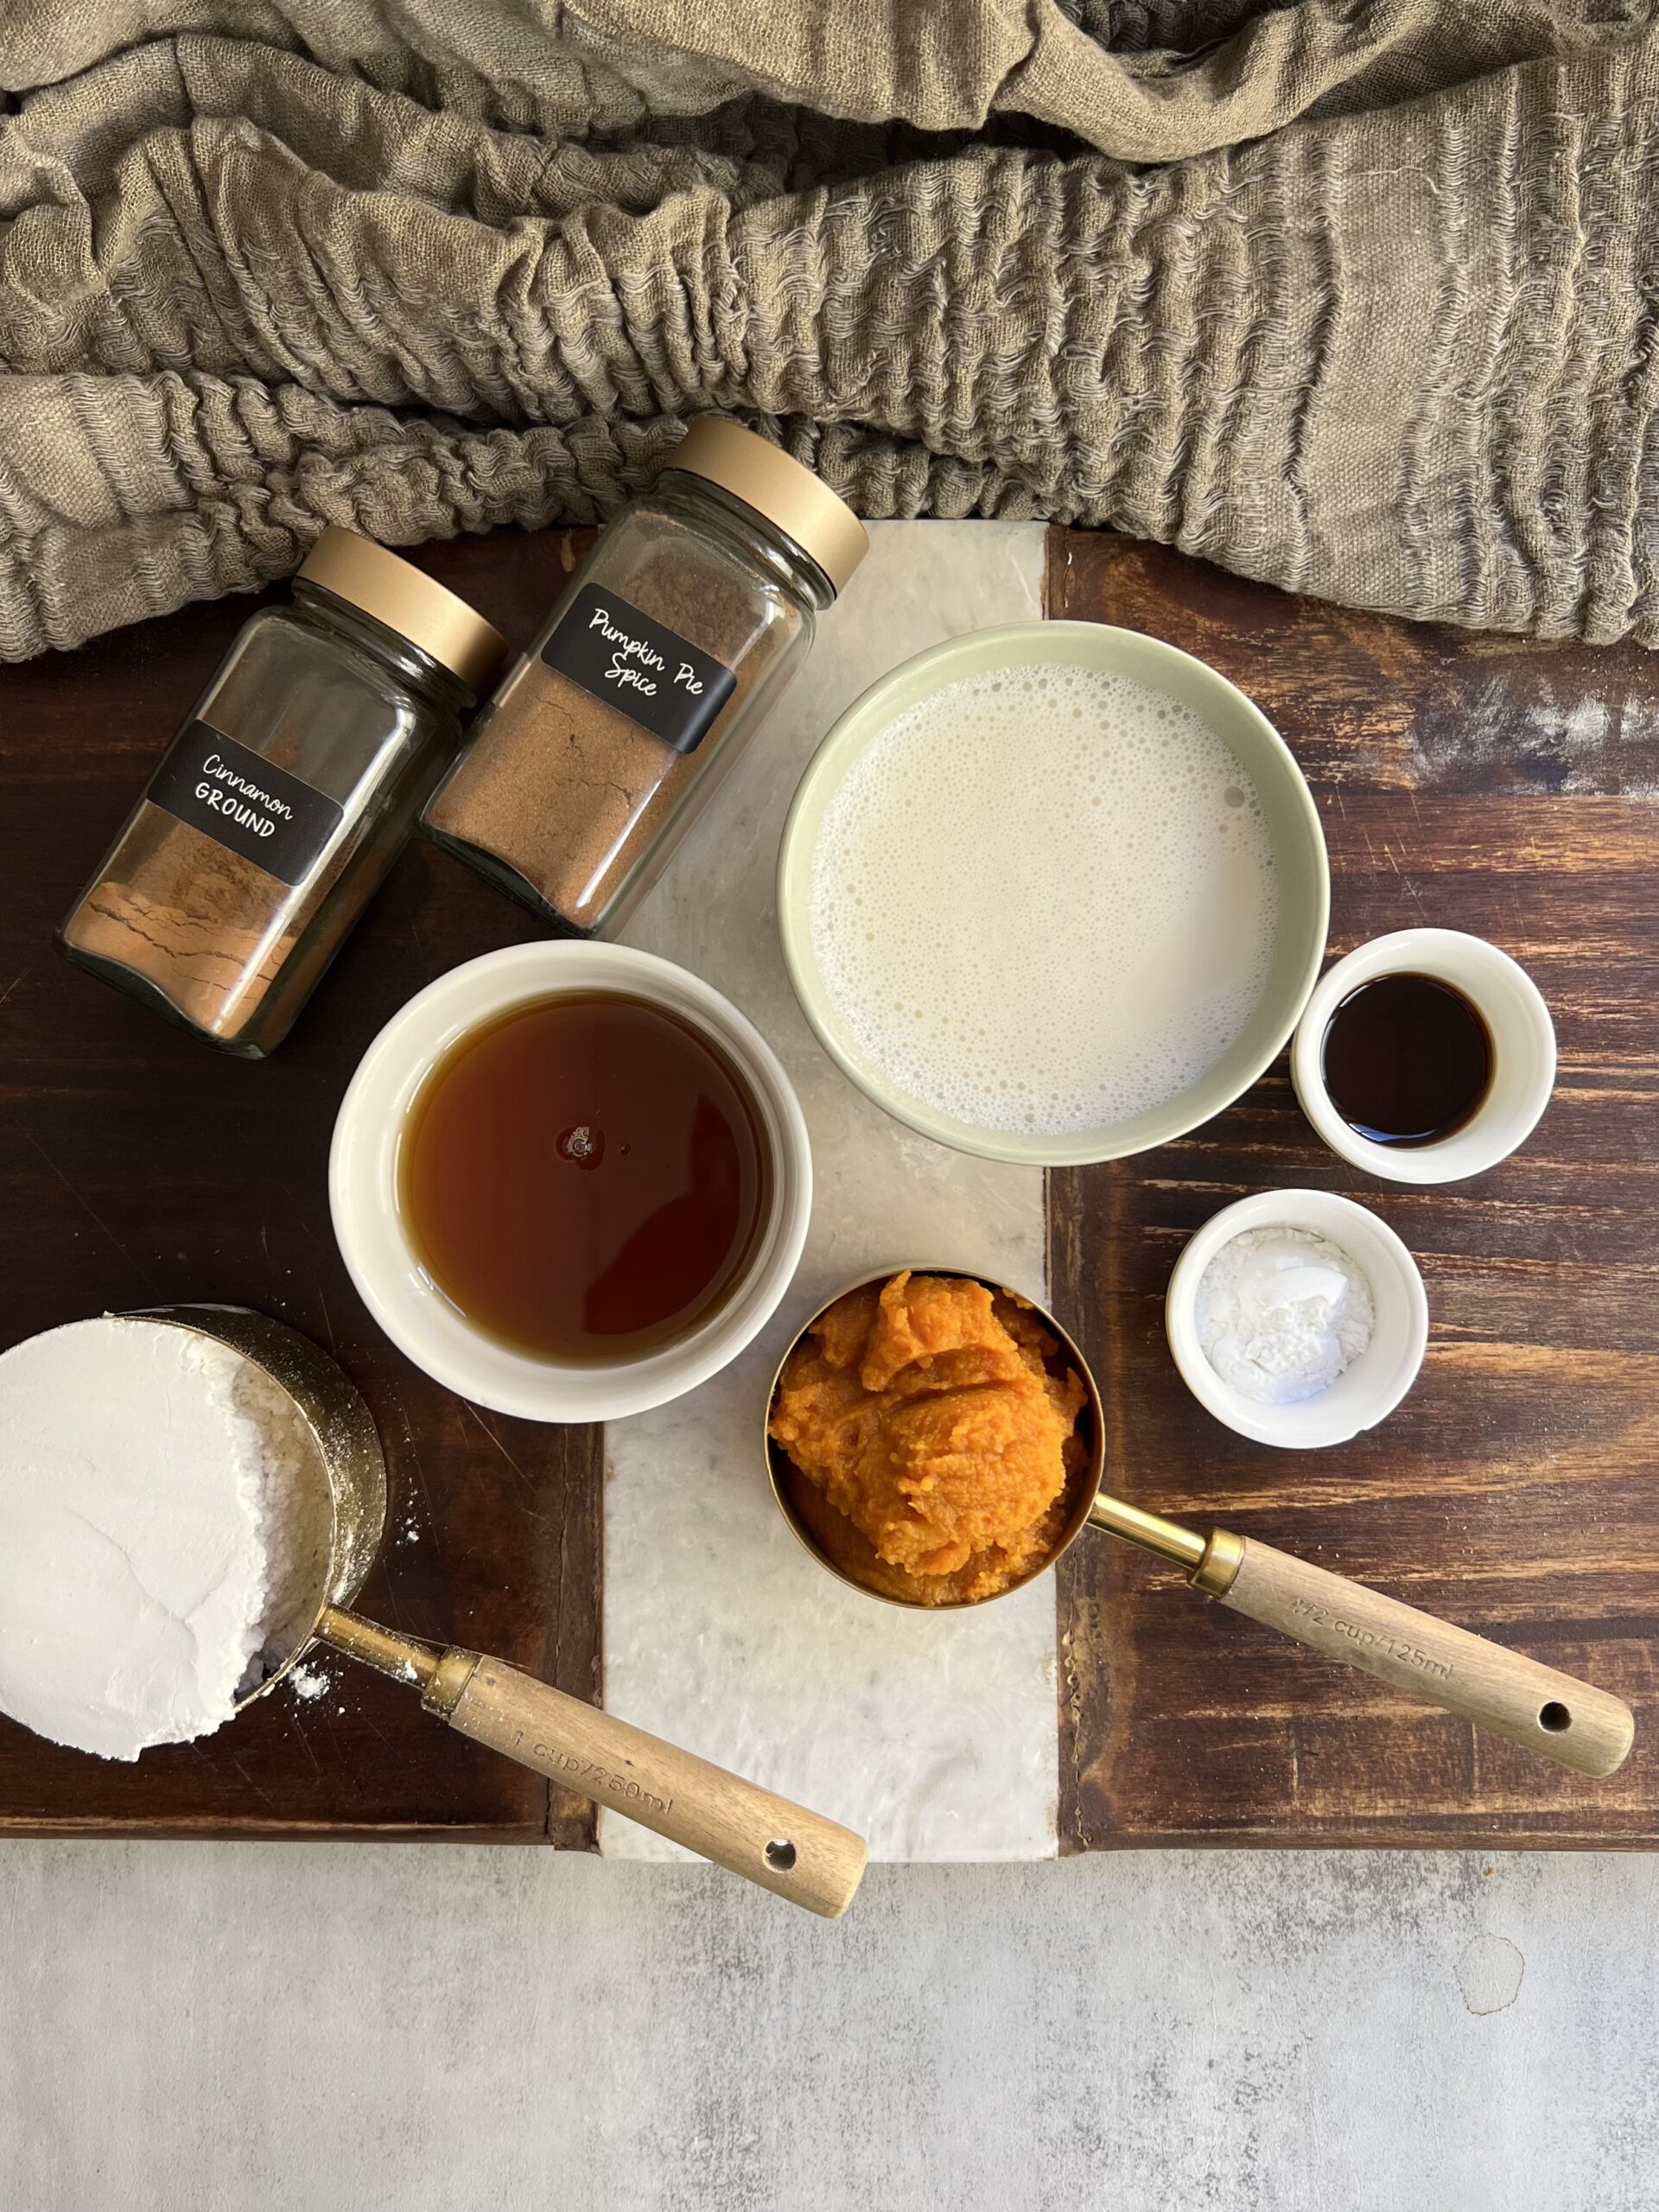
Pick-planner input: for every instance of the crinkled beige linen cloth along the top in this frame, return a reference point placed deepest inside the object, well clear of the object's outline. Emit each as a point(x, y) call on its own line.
point(1350, 298)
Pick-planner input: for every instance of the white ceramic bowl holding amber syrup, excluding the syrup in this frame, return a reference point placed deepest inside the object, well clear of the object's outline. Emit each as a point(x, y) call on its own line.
point(364, 1187)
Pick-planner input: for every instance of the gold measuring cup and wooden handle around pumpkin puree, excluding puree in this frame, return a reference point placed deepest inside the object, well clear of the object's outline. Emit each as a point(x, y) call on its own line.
point(1430, 1660)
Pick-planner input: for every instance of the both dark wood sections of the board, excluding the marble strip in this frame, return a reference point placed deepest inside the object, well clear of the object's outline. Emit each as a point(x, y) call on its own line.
point(1472, 782)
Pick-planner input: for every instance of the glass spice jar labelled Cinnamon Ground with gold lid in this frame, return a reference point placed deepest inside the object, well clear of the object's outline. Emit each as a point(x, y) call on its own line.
point(286, 797)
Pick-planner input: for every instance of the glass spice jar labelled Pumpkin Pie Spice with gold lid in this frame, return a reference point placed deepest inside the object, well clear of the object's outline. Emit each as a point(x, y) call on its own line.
point(658, 665)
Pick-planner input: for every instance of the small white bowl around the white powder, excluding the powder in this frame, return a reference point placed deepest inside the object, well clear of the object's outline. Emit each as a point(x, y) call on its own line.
point(1373, 1386)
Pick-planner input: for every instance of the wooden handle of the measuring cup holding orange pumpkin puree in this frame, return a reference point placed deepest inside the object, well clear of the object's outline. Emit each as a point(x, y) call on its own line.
point(1532, 1704)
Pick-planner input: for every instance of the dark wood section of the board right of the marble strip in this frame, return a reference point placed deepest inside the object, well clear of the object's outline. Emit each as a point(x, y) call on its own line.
point(1481, 784)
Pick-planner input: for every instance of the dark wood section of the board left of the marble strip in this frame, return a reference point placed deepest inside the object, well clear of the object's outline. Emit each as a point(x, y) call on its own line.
point(140, 1167)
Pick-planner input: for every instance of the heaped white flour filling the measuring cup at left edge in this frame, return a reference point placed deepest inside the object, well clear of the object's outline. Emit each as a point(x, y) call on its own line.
point(154, 1532)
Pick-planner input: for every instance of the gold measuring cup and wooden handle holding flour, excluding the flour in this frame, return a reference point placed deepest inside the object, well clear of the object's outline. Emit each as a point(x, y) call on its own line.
point(784, 1848)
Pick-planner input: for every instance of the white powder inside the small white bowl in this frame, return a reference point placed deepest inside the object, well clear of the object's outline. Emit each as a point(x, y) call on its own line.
point(1282, 1315)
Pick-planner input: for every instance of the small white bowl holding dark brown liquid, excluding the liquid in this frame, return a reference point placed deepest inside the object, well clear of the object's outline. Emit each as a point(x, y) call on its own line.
point(1523, 1054)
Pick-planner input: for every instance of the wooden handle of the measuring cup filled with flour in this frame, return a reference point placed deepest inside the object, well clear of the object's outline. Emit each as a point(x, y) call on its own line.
point(800, 1855)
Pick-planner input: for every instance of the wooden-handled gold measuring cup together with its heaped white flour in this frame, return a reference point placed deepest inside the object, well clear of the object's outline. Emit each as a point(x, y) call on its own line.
point(194, 1496)
